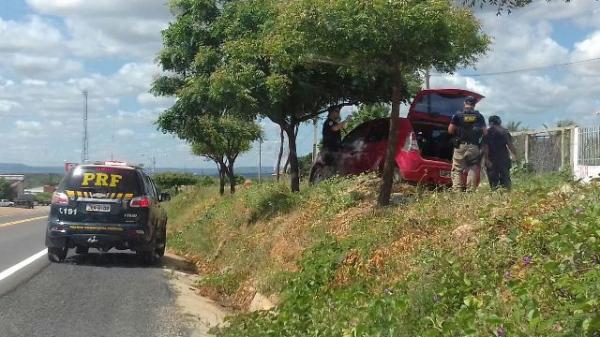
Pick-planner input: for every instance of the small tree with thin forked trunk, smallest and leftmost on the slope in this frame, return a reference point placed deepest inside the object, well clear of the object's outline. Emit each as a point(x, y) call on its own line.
point(222, 140)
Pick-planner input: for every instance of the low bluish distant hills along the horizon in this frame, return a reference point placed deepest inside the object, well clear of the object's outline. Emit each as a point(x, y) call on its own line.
point(11, 168)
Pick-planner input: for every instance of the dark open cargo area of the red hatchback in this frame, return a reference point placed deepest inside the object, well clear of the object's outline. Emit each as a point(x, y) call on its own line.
point(434, 141)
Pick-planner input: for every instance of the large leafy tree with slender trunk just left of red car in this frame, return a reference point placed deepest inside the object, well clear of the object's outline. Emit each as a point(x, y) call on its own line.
point(222, 57)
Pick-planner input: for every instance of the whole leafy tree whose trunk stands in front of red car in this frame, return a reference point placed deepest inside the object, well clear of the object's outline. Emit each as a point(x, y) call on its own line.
point(384, 39)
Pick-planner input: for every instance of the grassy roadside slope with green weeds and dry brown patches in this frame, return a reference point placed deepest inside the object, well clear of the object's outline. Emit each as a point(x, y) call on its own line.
point(438, 264)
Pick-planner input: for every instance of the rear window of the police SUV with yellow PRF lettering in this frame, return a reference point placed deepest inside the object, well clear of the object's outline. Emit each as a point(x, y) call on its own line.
point(102, 179)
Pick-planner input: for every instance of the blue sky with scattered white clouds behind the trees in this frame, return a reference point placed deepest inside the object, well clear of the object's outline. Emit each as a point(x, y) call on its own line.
point(52, 50)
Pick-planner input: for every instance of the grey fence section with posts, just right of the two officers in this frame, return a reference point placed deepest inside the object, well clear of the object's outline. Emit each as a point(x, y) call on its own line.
point(548, 150)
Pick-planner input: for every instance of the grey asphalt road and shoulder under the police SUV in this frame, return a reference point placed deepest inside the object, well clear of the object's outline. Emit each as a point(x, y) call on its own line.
point(101, 295)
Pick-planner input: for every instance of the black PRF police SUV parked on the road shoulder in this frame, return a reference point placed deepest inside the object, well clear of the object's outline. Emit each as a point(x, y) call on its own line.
point(107, 205)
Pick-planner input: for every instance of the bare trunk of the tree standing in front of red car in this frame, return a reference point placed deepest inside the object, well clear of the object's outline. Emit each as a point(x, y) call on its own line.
point(390, 157)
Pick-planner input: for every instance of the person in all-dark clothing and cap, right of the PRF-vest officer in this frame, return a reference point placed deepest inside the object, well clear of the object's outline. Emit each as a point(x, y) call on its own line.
point(496, 145)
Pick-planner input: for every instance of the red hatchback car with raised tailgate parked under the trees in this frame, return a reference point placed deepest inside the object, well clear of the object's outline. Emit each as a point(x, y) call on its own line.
point(425, 148)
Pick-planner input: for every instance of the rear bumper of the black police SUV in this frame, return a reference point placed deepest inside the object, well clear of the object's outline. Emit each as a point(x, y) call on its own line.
point(97, 235)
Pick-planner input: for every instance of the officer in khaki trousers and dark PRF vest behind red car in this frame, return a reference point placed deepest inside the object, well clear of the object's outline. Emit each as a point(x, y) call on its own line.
point(468, 129)
